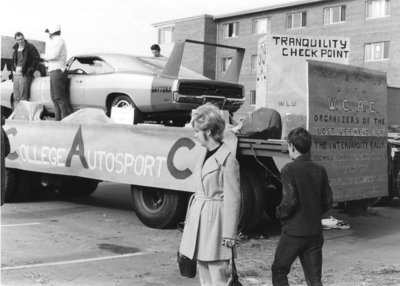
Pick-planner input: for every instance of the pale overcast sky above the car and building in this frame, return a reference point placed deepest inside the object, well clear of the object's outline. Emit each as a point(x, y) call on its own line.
point(109, 25)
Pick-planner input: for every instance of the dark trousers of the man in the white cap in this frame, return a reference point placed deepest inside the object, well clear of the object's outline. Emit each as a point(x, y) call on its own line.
point(59, 95)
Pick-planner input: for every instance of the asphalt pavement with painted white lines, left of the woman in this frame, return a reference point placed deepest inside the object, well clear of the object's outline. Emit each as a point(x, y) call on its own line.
point(91, 241)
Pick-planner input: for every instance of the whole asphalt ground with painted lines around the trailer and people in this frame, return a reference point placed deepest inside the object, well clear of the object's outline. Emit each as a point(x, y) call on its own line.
point(98, 240)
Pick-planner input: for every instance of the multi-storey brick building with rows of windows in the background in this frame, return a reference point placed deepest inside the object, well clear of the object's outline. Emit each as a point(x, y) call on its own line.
point(373, 27)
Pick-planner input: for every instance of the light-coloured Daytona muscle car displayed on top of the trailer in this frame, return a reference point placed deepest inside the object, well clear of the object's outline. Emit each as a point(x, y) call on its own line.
point(158, 89)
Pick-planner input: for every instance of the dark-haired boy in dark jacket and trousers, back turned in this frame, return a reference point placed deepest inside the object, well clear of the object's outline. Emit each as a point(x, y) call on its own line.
point(306, 196)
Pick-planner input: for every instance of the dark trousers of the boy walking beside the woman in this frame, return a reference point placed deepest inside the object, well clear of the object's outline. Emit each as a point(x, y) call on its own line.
point(308, 249)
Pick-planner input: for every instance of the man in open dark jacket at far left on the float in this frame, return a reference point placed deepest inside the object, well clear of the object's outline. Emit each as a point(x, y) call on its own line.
point(25, 62)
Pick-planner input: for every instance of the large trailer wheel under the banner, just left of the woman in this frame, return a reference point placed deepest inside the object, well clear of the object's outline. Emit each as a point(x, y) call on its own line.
point(158, 208)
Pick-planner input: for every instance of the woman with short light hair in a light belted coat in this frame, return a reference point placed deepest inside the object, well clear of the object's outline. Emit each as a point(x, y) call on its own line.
point(213, 216)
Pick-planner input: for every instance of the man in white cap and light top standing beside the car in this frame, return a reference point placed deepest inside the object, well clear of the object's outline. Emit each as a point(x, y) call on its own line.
point(56, 56)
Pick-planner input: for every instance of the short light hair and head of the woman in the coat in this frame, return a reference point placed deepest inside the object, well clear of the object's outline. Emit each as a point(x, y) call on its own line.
point(208, 117)
